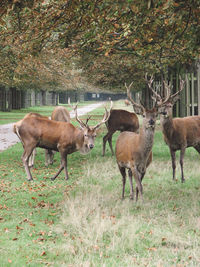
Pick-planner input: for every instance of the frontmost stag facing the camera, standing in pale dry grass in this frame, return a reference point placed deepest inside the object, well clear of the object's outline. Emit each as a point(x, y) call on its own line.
point(134, 150)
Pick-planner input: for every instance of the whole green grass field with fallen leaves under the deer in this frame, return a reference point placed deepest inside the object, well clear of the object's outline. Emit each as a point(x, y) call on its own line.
point(84, 222)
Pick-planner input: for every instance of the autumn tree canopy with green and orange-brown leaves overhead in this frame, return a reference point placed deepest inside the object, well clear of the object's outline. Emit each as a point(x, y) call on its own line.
point(44, 41)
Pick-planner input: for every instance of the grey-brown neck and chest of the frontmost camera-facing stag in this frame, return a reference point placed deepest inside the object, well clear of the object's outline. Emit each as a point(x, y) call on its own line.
point(146, 139)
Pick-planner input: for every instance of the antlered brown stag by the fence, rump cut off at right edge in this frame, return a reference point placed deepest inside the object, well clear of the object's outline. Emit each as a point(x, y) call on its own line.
point(178, 133)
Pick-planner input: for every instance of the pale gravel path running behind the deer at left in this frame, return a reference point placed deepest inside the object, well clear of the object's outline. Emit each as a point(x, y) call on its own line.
point(8, 138)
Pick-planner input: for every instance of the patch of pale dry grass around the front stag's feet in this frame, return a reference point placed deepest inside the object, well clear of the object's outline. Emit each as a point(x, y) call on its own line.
point(102, 230)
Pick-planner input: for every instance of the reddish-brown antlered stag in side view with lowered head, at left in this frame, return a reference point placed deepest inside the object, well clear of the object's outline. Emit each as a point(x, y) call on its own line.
point(35, 131)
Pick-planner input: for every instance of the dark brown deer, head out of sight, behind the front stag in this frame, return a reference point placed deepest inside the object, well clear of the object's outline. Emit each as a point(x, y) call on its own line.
point(119, 120)
